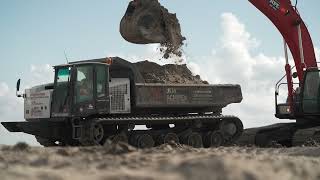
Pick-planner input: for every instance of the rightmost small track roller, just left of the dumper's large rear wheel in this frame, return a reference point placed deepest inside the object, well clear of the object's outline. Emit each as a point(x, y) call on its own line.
point(213, 139)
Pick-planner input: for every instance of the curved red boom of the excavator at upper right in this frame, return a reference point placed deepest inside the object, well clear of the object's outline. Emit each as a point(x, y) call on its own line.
point(288, 21)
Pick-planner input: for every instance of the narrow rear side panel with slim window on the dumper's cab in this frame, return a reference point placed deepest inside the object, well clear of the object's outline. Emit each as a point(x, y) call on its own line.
point(102, 89)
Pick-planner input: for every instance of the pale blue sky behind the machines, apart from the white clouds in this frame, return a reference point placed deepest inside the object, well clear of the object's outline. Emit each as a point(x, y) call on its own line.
point(38, 32)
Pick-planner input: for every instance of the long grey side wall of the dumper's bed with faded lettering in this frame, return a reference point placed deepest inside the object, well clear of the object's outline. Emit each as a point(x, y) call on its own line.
point(194, 95)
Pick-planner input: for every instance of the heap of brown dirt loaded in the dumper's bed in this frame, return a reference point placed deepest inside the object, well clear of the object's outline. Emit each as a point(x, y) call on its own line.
point(168, 74)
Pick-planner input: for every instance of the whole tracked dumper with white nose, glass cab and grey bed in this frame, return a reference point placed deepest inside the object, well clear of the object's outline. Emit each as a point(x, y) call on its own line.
point(105, 99)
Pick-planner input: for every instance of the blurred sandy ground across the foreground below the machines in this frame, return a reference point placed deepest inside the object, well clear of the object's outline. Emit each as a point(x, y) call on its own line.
point(164, 162)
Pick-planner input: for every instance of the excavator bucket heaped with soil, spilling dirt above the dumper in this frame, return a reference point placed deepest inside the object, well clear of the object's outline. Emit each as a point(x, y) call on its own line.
point(146, 22)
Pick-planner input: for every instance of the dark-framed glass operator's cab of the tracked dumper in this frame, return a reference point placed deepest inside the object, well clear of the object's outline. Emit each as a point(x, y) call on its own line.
point(81, 90)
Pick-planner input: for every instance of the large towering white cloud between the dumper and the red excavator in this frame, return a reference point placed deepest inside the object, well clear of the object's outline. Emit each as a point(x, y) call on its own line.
point(233, 62)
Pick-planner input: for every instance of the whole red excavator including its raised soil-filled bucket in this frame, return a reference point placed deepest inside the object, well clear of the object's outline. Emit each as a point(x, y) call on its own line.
point(146, 21)
